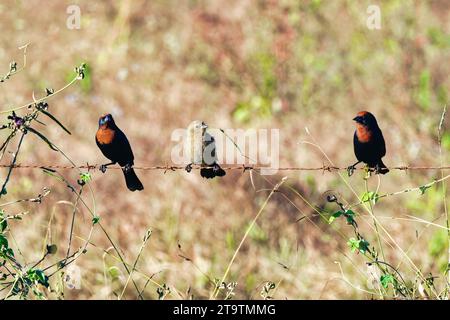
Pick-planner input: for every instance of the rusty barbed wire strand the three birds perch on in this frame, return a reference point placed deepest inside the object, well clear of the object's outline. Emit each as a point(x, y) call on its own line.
point(241, 167)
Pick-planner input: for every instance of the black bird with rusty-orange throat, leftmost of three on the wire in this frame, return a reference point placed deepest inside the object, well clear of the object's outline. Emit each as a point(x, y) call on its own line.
point(115, 146)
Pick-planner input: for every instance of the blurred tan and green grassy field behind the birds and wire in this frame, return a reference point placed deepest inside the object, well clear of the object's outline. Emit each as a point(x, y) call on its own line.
point(287, 64)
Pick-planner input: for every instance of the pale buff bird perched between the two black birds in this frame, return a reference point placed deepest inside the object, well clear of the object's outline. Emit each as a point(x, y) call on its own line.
point(201, 148)
